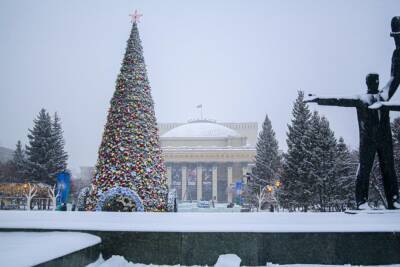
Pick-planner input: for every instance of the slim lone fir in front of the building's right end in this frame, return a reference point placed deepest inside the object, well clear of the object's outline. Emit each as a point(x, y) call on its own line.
point(267, 158)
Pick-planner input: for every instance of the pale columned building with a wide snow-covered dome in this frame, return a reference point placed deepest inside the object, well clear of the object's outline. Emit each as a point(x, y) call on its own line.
point(206, 160)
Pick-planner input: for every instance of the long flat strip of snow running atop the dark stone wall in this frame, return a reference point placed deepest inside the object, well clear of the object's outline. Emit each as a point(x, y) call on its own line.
point(386, 221)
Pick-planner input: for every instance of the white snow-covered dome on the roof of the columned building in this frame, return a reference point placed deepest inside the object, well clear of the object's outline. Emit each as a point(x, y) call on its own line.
point(201, 129)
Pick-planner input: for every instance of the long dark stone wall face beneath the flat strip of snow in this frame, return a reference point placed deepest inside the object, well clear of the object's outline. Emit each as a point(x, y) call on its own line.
point(253, 248)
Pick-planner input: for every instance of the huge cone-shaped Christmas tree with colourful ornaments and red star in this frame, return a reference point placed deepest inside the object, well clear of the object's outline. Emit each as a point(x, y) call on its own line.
point(130, 173)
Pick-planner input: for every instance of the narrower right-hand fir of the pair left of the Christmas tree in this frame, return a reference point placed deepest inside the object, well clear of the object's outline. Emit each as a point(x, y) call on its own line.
point(60, 157)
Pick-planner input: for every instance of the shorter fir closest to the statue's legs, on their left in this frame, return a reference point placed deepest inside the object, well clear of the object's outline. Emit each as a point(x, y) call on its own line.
point(345, 172)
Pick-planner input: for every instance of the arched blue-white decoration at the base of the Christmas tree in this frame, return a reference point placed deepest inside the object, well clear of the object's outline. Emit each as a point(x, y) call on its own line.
point(119, 199)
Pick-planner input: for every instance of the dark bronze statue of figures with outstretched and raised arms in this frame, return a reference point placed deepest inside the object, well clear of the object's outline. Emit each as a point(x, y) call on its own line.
point(374, 127)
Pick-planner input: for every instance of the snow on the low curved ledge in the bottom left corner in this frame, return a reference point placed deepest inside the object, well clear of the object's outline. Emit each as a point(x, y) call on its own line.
point(31, 248)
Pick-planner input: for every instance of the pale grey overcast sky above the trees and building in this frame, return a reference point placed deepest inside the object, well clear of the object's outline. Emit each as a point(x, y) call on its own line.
point(240, 59)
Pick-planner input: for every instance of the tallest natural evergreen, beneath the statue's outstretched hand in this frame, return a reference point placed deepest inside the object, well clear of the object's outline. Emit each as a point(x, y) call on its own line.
point(296, 167)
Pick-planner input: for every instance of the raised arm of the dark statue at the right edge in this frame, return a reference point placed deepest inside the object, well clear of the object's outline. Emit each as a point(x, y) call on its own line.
point(390, 88)
